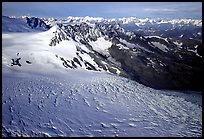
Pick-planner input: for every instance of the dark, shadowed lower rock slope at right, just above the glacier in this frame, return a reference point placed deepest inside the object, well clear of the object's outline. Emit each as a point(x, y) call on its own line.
point(174, 75)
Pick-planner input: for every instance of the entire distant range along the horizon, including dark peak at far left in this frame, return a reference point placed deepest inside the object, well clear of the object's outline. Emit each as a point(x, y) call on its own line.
point(174, 28)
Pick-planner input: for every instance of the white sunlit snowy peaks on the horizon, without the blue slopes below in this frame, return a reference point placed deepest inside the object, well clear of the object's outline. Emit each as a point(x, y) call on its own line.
point(144, 23)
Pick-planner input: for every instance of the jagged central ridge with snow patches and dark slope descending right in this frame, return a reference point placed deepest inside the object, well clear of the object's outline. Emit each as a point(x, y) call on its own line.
point(157, 62)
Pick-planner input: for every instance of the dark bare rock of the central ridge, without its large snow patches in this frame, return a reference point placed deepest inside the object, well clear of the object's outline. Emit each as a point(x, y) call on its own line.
point(153, 61)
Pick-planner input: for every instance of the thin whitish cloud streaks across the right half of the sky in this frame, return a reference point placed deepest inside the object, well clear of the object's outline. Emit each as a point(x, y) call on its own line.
point(157, 9)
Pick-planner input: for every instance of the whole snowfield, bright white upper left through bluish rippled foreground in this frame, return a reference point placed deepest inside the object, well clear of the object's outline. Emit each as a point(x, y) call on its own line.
point(45, 99)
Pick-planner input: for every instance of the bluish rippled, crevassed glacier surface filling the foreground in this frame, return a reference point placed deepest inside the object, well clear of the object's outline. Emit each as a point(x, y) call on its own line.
point(93, 104)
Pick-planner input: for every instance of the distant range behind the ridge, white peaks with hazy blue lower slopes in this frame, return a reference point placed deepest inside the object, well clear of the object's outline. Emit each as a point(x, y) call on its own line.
point(174, 28)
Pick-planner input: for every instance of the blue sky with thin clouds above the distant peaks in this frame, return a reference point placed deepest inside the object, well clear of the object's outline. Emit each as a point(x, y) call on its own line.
point(177, 10)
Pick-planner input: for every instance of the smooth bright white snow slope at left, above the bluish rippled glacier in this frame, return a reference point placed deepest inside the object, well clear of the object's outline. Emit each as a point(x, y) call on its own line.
point(35, 47)
